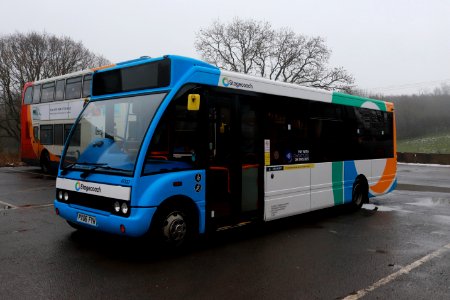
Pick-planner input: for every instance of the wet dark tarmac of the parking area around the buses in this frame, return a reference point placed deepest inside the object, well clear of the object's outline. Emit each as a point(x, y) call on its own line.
point(396, 247)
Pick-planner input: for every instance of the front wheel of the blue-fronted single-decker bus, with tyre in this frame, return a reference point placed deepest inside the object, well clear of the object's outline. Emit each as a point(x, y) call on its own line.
point(173, 228)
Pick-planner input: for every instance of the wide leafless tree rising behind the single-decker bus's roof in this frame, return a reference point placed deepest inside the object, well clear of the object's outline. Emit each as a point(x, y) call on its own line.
point(254, 47)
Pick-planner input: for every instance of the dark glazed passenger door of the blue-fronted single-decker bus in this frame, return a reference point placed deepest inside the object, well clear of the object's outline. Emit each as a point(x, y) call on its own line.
point(233, 169)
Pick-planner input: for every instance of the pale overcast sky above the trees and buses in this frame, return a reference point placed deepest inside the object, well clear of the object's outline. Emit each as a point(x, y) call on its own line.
point(390, 46)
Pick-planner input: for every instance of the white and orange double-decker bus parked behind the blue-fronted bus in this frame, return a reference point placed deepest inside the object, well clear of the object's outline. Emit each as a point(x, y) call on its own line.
point(49, 109)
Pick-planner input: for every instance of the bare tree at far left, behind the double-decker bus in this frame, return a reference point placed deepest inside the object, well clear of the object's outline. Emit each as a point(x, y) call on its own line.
point(31, 57)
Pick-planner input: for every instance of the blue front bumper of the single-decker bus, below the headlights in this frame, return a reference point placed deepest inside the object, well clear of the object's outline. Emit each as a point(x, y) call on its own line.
point(137, 224)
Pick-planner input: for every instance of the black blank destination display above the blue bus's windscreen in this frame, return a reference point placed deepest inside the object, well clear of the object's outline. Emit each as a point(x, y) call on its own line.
point(144, 76)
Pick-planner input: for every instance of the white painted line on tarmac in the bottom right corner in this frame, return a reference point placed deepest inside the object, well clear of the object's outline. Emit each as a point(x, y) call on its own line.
point(405, 270)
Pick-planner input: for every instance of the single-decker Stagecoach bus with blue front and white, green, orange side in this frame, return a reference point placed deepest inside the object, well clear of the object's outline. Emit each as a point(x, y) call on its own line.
point(174, 146)
